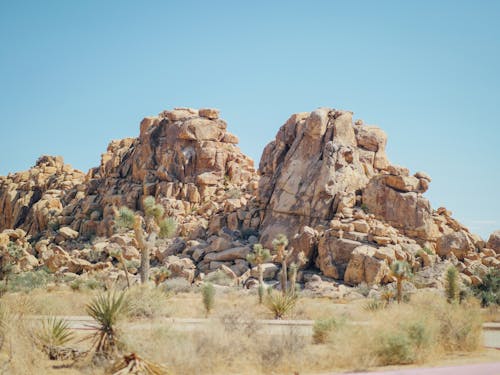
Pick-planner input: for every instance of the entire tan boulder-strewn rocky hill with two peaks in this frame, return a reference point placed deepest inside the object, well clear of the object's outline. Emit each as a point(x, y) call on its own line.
point(325, 182)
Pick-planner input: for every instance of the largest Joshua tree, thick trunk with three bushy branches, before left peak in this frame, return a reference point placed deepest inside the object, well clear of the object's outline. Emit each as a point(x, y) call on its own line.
point(147, 230)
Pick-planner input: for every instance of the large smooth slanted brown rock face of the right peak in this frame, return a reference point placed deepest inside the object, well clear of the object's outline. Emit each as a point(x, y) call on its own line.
point(306, 171)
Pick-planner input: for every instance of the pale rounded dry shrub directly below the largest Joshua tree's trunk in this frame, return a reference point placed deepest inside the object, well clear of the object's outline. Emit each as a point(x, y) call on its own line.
point(146, 302)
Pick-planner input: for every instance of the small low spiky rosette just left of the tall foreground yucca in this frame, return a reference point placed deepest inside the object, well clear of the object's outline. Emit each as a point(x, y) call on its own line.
point(54, 332)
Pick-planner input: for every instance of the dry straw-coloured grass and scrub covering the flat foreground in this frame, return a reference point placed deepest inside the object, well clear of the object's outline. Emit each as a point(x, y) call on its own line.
point(422, 331)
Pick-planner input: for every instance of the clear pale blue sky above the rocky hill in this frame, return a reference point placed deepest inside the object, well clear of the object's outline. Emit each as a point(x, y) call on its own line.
point(76, 74)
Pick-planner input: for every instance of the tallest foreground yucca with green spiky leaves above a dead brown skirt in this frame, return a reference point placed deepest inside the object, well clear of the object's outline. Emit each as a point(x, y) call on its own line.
point(106, 309)
